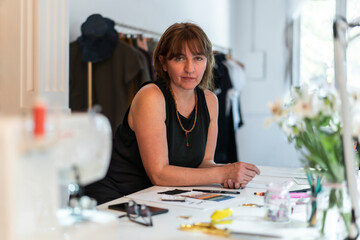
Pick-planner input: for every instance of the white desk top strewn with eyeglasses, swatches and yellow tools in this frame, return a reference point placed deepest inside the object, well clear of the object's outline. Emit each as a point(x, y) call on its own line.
point(248, 219)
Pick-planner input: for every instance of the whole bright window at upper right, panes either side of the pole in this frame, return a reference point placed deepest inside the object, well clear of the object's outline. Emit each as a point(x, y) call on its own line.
point(315, 47)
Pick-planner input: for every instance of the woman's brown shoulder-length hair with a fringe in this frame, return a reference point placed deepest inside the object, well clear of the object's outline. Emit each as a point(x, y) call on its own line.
point(173, 42)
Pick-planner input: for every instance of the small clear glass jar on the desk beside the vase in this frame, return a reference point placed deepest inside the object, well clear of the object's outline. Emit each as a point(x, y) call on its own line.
point(277, 202)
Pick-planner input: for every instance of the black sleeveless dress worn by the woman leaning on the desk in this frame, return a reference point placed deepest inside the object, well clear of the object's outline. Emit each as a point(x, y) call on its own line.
point(126, 173)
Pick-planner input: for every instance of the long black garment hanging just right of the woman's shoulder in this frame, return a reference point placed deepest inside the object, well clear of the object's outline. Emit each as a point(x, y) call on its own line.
point(226, 150)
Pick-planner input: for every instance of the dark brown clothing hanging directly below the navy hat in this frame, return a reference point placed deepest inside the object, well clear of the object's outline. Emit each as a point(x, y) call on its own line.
point(112, 80)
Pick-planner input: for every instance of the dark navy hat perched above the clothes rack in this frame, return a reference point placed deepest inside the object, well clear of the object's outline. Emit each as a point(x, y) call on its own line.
point(98, 39)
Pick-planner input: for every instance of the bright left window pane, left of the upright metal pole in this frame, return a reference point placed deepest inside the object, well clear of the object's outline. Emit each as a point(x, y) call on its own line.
point(316, 42)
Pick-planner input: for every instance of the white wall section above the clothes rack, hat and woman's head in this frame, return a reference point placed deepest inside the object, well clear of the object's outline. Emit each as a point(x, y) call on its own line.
point(157, 15)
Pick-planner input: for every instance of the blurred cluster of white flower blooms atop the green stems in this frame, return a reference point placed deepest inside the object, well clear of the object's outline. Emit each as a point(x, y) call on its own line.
point(302, 103)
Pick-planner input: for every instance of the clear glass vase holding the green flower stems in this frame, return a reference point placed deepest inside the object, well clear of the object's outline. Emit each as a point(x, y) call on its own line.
point(333, 210)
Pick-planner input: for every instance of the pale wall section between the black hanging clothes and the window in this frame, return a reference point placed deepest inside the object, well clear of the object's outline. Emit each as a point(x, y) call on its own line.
point(257, 144)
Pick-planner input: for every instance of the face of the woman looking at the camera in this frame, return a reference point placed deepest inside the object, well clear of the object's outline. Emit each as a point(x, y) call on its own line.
point(186, 69)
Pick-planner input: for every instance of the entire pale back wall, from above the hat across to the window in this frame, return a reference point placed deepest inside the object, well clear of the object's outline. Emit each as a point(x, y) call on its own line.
point(228, 23)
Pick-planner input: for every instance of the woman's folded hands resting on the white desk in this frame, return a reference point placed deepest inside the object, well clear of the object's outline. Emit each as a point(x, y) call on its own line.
point(239, 174)
